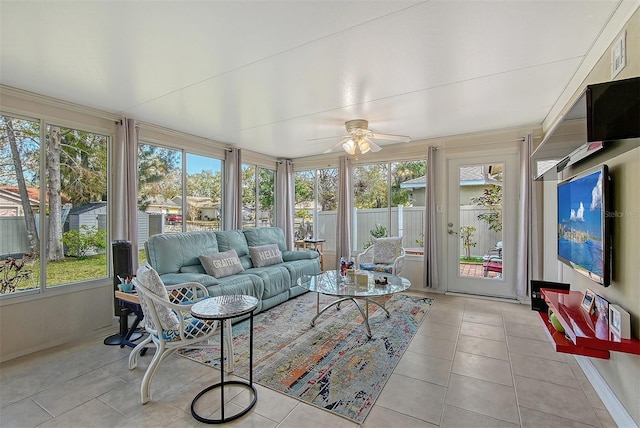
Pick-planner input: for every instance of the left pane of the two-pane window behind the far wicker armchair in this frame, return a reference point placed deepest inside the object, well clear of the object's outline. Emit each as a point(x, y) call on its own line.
point(371, 199)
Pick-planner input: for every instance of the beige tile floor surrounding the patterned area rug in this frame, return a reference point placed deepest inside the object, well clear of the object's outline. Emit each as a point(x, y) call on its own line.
point(473, 363)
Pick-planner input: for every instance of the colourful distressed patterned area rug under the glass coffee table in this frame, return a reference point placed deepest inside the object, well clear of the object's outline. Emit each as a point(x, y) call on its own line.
point(333, 365)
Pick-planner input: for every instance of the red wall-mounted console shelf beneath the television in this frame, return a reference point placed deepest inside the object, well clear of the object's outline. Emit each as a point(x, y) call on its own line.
point(586, 334)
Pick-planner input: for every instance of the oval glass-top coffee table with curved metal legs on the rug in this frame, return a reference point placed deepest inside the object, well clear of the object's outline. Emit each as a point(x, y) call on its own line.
point(331, 283)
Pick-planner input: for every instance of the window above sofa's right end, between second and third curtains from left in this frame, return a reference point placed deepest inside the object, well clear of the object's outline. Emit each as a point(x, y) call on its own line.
point(258, 196)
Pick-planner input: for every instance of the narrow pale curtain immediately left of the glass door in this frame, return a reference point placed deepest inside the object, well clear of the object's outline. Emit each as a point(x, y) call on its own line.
point(431, 278)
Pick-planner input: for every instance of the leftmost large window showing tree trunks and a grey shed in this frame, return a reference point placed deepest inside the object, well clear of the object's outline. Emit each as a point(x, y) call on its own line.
point(66, 235)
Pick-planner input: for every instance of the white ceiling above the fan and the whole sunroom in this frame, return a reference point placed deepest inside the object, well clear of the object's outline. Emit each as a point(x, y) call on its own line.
point(270, 76)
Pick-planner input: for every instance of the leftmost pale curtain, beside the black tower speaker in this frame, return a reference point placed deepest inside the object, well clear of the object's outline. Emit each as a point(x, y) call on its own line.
point(124, 179)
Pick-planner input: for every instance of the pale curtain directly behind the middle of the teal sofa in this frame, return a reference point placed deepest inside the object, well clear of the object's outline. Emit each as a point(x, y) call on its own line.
point(232, 207)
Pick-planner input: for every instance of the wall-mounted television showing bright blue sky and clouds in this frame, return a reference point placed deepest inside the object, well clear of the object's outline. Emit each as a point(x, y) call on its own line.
point(584, 236)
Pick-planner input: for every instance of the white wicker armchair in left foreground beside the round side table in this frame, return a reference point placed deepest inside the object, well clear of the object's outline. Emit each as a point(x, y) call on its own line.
point(169, 323)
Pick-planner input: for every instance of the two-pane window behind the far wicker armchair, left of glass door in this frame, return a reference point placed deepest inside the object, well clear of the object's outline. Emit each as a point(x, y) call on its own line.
point(389, 200)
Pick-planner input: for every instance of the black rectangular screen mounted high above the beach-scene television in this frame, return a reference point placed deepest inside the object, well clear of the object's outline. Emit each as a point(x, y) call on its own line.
point(613, 110)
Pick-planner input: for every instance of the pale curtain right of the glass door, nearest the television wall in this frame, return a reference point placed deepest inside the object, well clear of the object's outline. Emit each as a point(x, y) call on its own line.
point(522, 262)
